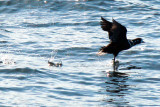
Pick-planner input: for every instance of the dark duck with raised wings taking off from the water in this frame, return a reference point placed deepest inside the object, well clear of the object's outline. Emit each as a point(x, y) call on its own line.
point(117, 34)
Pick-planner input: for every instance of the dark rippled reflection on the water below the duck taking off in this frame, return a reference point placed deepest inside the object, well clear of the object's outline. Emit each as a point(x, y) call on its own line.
point(117, 86)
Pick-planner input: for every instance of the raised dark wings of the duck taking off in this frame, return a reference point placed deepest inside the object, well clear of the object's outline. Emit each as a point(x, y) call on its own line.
point(116, 31)
